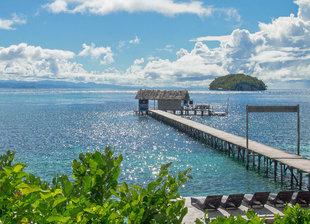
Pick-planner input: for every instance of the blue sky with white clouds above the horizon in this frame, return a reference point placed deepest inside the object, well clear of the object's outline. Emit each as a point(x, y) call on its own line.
point(158, 43)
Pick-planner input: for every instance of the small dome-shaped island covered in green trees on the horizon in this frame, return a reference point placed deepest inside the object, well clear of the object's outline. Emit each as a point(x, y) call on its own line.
point(237, 82)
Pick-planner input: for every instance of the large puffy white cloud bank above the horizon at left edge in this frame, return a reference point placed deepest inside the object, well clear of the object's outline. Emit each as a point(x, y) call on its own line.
point(25, 62)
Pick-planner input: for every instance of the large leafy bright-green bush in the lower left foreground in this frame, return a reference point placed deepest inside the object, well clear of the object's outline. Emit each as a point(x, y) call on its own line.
point(94, 196)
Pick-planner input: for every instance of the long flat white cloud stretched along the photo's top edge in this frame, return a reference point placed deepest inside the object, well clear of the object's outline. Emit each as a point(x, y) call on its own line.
point(165, 7)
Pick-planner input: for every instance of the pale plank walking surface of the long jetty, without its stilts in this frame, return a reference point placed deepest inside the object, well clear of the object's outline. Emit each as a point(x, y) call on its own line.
point(291, 160)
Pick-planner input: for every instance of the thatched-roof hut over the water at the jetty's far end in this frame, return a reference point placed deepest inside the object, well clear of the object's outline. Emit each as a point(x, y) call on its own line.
point(166, 99)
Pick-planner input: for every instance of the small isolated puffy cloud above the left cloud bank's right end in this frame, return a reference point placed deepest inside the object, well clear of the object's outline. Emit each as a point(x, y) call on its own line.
point(105, 54)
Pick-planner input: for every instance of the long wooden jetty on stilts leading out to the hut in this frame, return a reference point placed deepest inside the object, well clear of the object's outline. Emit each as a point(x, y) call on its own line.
point(273, 159)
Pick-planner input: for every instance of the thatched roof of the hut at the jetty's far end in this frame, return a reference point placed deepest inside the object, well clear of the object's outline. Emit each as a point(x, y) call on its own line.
point(144, 94)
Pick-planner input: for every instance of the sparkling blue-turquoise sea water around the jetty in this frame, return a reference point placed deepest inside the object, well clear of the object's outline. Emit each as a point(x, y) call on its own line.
point(49, 128)
